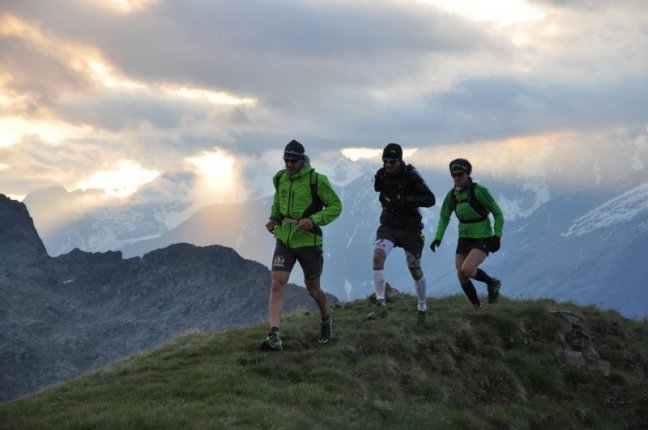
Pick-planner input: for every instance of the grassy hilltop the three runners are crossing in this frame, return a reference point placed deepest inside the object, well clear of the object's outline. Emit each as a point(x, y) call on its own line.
point(513, 365)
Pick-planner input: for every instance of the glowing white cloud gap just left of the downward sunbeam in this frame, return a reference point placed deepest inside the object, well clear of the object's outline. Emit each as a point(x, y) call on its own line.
point(122, 181)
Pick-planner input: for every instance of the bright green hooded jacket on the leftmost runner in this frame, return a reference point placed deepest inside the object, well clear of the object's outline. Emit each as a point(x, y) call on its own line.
point(292, 197)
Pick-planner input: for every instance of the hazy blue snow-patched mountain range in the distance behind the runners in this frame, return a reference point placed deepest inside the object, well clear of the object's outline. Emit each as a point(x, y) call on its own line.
point(575, 227)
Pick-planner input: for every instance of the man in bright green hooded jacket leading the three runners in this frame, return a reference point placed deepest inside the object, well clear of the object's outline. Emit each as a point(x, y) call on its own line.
point(303, 202)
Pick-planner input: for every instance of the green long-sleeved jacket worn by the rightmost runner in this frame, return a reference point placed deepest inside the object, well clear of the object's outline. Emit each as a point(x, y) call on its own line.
point(477, 230)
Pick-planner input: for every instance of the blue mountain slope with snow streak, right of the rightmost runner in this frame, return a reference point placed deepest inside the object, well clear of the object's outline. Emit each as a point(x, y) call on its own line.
point(588, 247)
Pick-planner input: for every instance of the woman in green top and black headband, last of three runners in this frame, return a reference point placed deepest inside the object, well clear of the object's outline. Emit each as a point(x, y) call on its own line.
point(472, 203)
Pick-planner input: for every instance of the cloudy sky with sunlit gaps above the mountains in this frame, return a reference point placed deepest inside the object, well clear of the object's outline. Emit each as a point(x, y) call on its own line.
point(114, 94)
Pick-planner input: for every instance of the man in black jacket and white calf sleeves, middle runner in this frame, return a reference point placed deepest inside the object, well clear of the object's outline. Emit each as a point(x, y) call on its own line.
point(402, 193)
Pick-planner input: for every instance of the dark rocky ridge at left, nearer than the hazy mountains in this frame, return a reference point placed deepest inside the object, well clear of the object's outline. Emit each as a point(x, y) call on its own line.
point(61, 316)
